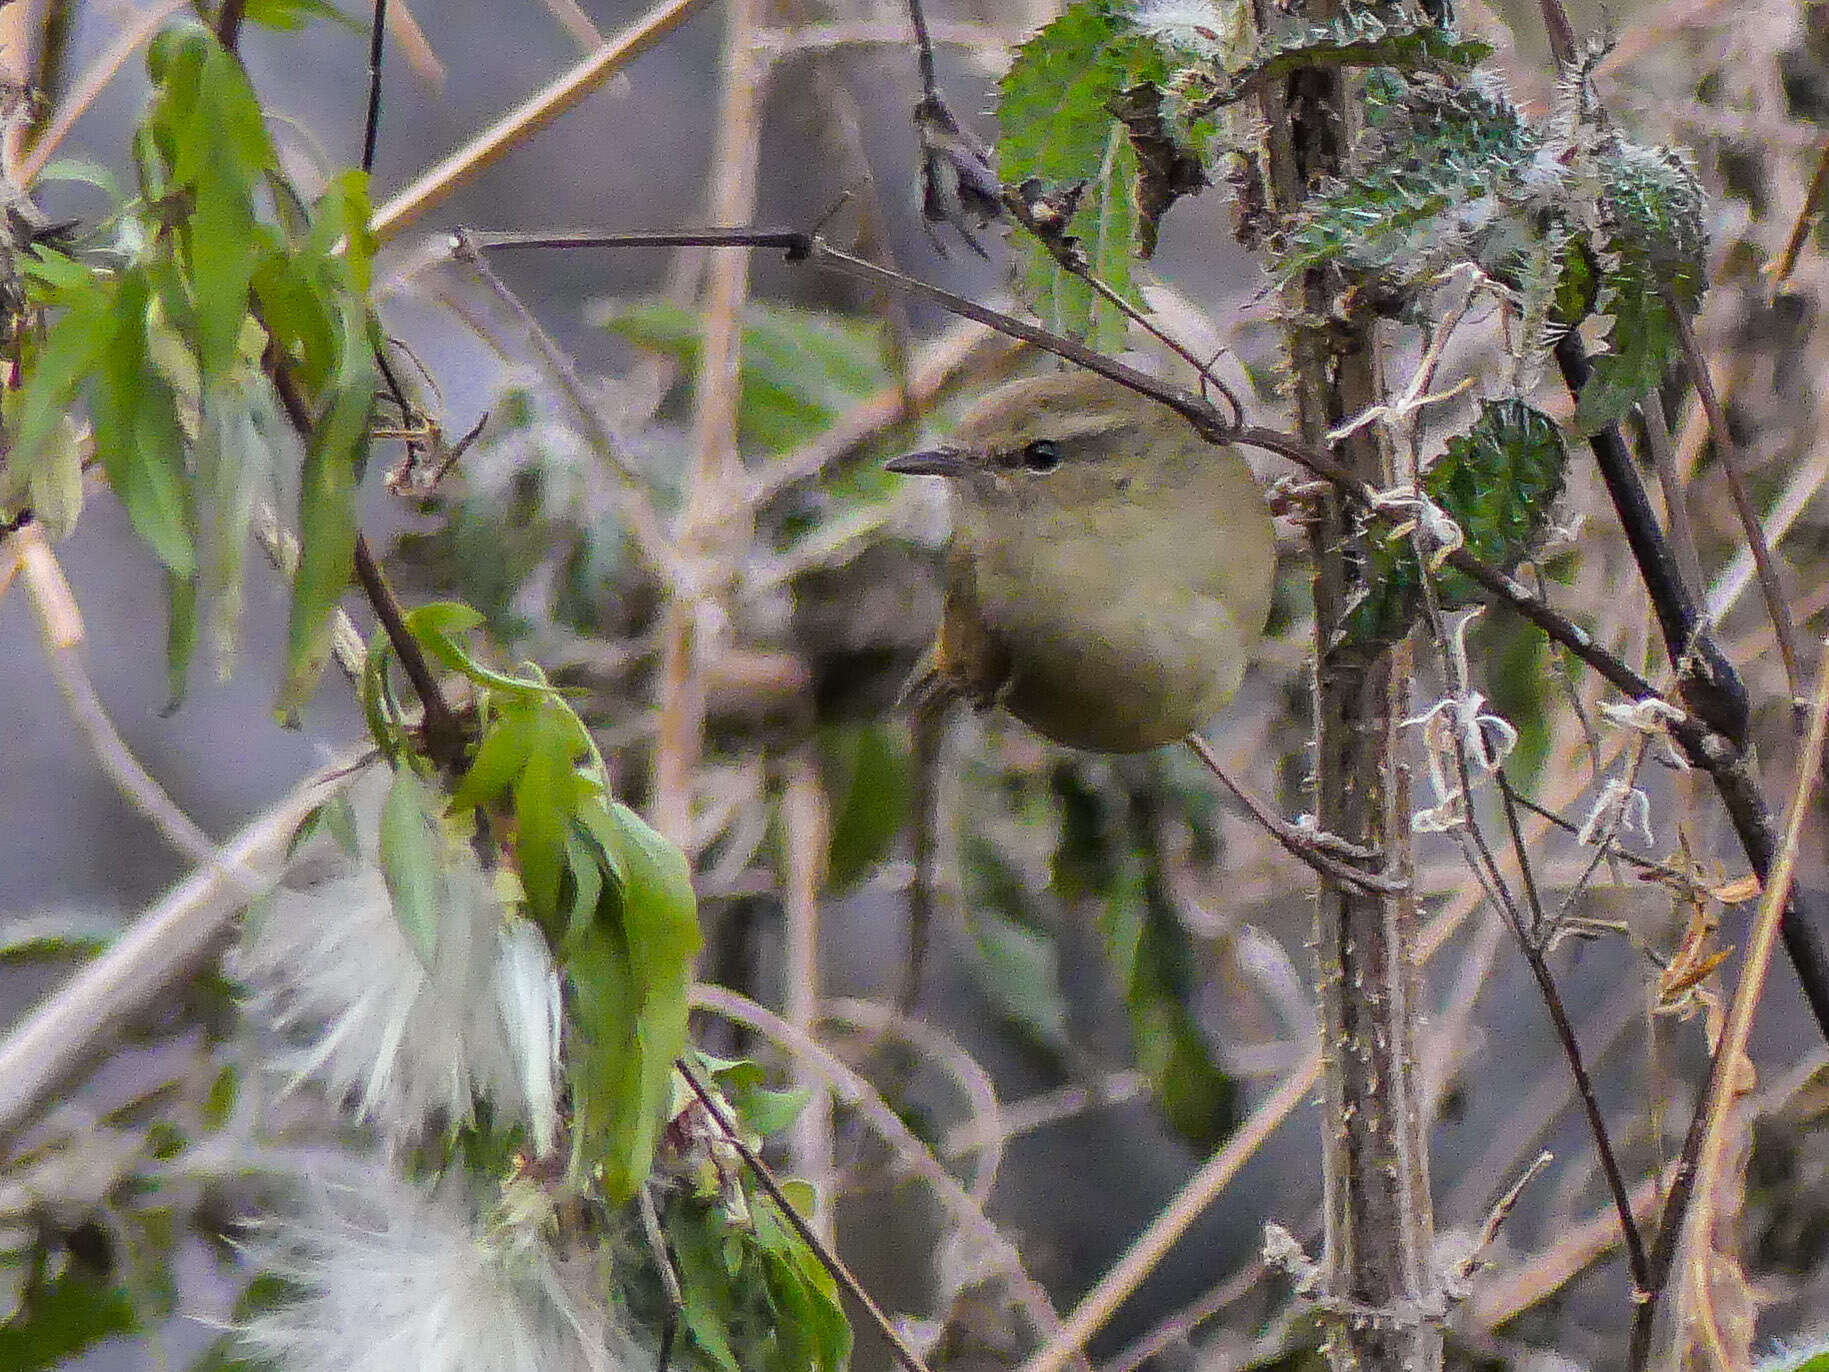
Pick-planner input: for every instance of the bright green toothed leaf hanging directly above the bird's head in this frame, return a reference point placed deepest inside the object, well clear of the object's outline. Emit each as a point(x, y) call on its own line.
point(1054, 113)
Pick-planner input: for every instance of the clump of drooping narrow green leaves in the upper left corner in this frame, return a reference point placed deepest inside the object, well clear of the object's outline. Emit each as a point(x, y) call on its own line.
point(164, 339)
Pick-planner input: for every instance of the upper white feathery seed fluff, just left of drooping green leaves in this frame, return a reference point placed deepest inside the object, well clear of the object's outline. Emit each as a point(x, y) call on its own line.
point(409, 1042)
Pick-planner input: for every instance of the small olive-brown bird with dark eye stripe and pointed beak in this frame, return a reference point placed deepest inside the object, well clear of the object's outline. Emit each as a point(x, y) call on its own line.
point(1109, 570)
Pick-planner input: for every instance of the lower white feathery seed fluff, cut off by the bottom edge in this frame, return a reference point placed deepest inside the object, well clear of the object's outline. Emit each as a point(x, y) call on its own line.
point(389, 1276)
